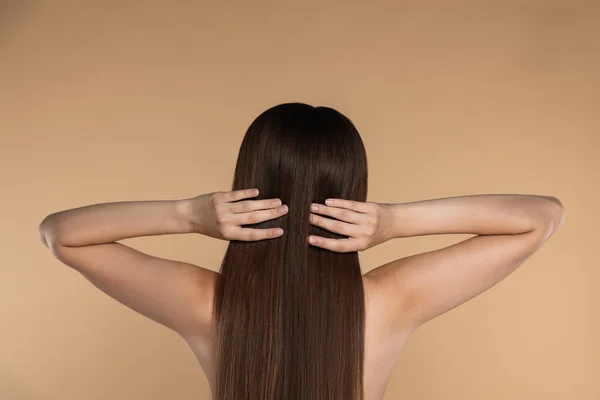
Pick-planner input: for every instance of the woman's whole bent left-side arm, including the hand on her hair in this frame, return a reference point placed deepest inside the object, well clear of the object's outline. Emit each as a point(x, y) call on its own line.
point(166, 291)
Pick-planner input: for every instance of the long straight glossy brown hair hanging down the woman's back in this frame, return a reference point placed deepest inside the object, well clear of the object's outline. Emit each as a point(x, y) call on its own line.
point(291, 316)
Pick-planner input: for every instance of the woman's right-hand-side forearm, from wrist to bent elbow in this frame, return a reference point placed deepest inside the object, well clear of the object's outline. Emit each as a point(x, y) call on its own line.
point(485, 214)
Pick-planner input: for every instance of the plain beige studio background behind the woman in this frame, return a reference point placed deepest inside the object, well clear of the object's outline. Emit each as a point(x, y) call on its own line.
point(110, 101)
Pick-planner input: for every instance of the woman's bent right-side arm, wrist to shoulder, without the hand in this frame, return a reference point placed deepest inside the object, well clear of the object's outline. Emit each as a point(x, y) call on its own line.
point(509, 229)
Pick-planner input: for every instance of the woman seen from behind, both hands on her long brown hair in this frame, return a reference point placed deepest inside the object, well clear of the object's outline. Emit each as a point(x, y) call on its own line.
point(285, 317)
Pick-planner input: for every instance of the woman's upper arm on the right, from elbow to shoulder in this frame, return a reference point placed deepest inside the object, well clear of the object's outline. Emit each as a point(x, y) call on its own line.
point(418, 288)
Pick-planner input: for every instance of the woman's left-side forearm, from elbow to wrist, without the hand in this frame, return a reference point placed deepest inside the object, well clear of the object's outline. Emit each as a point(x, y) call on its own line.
point(109, 222)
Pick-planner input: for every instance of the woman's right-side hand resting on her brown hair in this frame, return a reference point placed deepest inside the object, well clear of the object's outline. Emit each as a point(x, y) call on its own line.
point(366, 224)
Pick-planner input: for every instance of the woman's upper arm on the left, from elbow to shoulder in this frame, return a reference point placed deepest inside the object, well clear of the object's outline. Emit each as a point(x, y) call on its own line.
point(175, 294)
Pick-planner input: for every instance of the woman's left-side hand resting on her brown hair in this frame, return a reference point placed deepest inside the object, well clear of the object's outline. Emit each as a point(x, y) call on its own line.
point(221, 215)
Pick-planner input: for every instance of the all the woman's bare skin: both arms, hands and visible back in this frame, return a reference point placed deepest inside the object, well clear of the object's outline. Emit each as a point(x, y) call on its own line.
point(401, 295)
